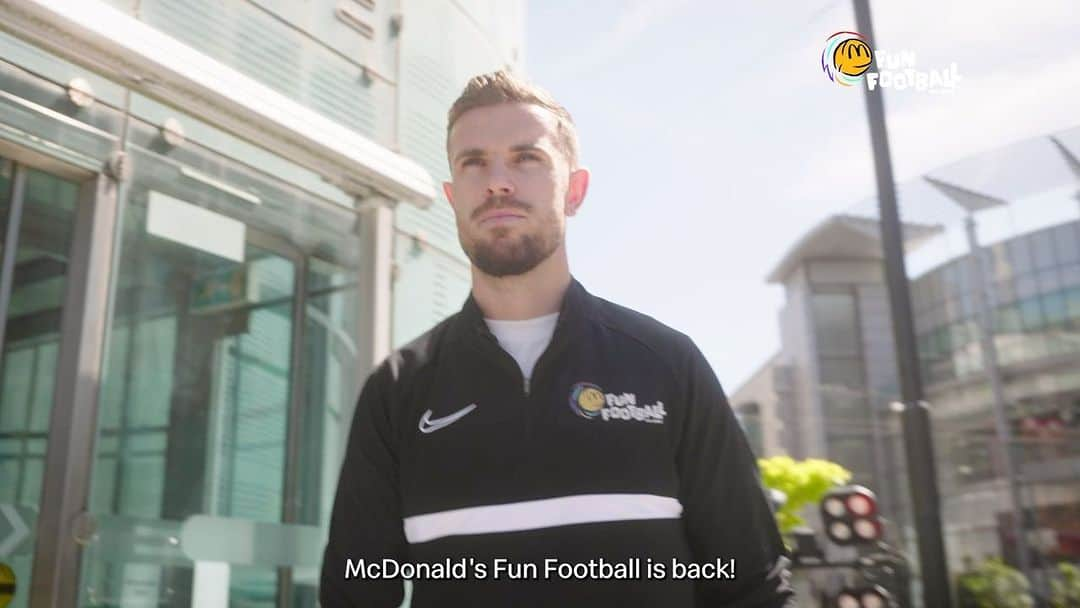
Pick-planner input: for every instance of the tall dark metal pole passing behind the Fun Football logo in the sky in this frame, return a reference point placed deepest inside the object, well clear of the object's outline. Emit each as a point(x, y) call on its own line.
point(923, 477)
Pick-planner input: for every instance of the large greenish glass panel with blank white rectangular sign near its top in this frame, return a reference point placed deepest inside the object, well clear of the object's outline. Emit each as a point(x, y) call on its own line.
point(198, 391)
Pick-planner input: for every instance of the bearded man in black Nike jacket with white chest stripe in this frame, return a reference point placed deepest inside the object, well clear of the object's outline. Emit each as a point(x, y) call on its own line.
point(542, 437)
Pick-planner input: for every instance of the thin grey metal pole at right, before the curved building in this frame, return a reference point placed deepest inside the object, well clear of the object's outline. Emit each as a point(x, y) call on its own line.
point(984, 317)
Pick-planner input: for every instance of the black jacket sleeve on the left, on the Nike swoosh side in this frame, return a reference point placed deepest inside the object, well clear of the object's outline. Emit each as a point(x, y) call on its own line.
point(367, 523)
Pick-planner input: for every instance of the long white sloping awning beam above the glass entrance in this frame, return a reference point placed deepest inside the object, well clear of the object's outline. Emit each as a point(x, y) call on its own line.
point(117, 46)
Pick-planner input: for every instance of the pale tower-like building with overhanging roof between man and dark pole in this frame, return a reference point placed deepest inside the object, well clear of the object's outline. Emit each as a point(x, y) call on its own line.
point(834, 379)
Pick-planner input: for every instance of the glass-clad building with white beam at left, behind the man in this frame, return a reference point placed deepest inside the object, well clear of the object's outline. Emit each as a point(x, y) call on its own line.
point(218, 218)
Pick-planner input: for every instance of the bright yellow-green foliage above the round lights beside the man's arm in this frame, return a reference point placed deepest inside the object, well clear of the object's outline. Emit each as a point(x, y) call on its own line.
point(805, 482)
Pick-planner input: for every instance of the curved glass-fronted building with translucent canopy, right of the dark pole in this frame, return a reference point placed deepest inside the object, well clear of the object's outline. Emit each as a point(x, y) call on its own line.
point(1032, 287)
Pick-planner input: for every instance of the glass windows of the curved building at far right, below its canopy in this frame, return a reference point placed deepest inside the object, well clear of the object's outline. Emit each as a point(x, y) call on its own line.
point(1035, 289)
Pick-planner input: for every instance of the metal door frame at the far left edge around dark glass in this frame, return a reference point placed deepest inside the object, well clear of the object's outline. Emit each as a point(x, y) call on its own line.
point(74, 417)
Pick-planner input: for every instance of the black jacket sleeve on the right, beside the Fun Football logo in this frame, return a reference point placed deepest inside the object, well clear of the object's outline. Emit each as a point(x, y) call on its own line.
point(725, 509)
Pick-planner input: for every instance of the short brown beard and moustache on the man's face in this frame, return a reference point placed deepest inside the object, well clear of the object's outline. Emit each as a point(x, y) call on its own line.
point(505, 255)
